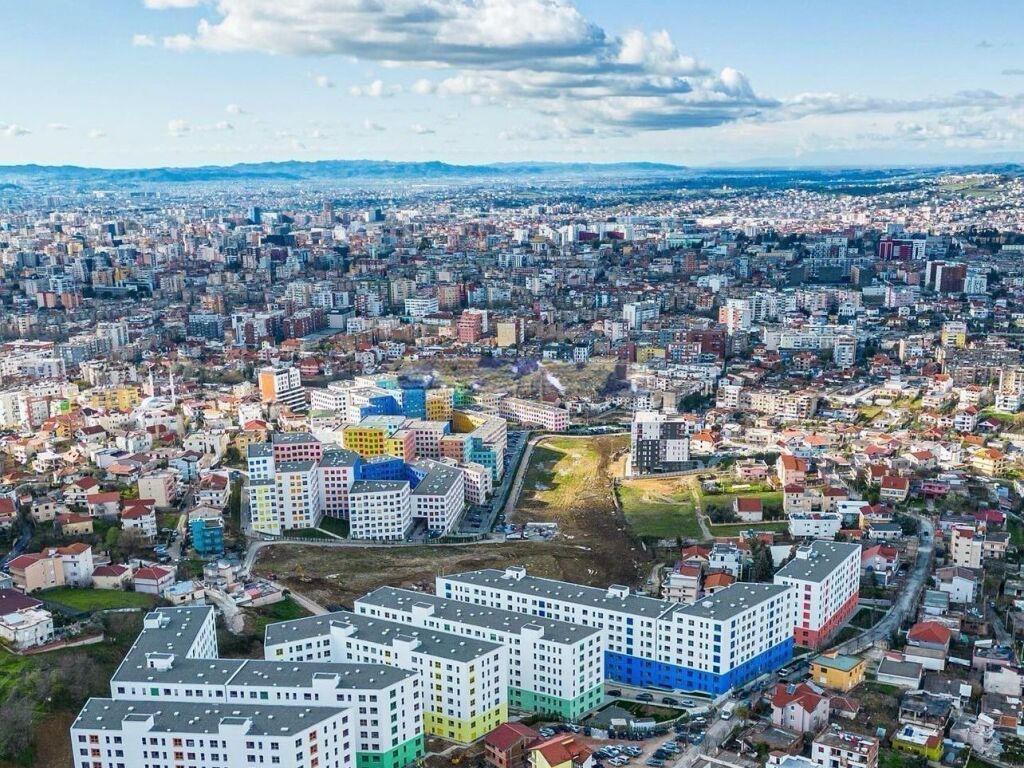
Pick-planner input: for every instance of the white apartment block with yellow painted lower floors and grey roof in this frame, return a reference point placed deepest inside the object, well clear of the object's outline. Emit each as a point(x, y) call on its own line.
point(465, 680)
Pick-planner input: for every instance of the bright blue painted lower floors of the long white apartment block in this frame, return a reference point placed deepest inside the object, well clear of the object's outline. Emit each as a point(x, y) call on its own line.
point(646, 672)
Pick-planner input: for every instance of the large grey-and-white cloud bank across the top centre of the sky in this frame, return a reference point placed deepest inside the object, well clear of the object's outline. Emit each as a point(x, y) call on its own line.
point(542, 53)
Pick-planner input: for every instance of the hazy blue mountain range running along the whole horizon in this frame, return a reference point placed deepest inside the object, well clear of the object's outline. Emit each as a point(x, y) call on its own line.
point(376, 172)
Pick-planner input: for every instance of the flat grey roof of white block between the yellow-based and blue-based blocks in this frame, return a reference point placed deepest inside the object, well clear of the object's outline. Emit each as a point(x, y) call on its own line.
point(477, 616)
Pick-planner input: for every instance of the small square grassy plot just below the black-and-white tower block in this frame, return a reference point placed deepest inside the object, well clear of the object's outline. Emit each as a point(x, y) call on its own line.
point(660, 508)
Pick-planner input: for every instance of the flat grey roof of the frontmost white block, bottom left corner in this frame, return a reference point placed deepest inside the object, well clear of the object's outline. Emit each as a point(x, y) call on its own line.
point(205, 717)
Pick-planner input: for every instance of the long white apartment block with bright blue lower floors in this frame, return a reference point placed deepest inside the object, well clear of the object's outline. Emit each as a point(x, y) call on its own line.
point(712, 646)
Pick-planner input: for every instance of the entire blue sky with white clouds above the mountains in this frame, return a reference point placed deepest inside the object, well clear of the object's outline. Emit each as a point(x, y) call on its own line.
point(144, 83)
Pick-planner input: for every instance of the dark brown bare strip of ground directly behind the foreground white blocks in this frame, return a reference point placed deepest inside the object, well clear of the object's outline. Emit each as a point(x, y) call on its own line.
point(338, 576)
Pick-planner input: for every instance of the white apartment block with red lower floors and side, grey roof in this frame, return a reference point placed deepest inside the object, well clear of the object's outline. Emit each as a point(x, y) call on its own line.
point(826, 579)
